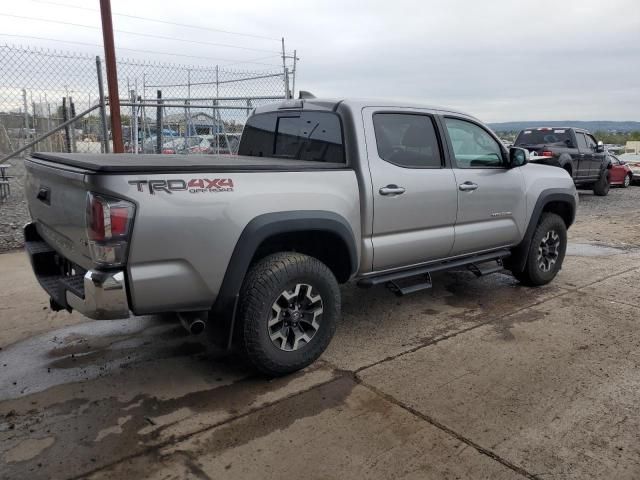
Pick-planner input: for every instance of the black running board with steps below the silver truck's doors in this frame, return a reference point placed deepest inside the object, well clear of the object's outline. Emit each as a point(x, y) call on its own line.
point(482, 264)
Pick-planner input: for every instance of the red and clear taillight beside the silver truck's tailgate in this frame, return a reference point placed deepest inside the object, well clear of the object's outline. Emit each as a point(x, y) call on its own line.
point(109, 223)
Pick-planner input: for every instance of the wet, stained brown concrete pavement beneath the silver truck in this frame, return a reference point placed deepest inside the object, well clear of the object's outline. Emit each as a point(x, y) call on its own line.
point(476, 378)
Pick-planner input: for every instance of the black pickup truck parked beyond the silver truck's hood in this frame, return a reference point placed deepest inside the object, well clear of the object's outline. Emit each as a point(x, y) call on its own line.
point(573, 149)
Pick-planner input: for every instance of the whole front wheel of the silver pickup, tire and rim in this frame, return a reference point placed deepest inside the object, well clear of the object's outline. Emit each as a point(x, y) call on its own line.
point(546, 252)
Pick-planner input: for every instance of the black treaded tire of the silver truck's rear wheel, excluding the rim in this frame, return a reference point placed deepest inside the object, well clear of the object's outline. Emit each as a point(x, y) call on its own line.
point(263, 285)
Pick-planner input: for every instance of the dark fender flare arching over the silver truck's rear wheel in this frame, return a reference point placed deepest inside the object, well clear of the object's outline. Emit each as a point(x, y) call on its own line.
point(264, 226)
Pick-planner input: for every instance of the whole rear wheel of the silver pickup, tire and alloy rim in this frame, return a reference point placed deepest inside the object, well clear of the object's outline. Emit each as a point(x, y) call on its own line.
point(289, 307)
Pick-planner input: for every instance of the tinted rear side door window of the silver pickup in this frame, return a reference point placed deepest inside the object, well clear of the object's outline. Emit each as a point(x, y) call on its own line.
point(407, 140)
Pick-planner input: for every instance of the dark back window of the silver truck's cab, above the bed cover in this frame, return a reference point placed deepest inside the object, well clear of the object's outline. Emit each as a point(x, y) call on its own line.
point(313, 136)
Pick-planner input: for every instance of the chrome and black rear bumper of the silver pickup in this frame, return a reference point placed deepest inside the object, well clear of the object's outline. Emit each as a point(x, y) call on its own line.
point(97, 294)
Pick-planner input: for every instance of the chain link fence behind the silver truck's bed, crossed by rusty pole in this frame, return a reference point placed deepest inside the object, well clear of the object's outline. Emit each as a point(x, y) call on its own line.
point(166, 108)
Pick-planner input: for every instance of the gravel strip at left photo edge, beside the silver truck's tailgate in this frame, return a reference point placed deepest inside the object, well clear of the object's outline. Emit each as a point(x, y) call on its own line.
point(13, 211)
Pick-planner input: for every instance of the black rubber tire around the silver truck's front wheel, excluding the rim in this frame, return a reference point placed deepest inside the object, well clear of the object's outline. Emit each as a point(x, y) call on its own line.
point(533, 275)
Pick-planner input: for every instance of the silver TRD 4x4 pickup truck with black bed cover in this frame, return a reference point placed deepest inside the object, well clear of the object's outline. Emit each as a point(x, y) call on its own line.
point(322, 192)
